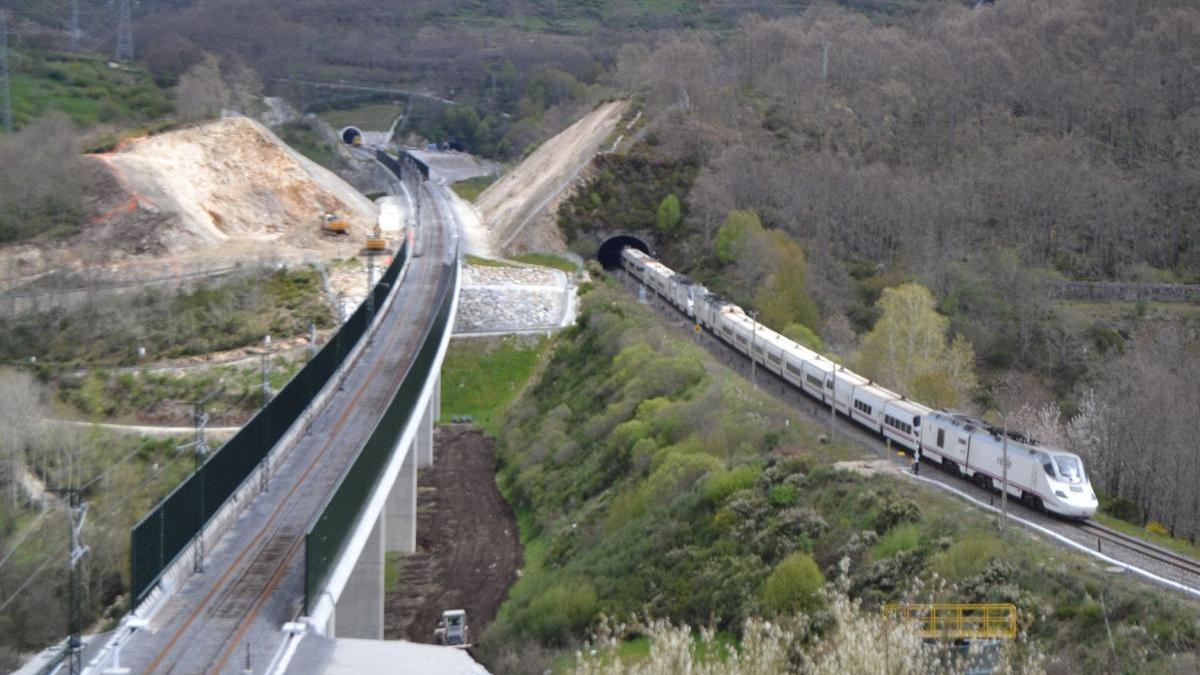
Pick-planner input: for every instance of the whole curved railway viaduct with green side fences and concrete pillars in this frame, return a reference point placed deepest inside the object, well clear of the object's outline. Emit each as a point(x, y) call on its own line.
point(280, 536)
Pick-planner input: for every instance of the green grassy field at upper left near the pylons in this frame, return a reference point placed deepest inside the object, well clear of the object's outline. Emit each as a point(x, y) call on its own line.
point(86, 89)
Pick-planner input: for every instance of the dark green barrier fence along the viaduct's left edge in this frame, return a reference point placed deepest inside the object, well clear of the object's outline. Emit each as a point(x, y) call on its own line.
point(159, 539)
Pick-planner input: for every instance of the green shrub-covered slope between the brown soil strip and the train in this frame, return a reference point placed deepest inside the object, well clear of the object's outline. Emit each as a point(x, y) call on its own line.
point(650, 479)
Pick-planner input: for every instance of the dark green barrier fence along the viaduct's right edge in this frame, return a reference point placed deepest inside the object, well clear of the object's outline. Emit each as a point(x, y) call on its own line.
point(327, 537)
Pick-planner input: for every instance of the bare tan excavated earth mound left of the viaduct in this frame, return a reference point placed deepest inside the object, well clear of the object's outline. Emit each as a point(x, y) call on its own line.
point(209, 196)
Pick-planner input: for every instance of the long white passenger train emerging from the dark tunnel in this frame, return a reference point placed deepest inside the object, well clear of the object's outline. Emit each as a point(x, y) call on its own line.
point(1043, 477)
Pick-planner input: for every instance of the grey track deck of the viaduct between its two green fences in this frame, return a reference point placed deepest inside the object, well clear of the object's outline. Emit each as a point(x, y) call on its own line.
point(232, 613)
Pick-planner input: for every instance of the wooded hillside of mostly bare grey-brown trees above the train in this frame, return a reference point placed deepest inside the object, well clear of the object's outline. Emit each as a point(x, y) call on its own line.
point(979, 153)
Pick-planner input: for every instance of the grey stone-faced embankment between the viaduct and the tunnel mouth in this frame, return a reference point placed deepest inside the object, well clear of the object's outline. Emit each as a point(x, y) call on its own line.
point(513, 300)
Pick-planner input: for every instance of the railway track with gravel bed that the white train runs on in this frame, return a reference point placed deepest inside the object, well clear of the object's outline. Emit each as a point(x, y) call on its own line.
point(1125, 548)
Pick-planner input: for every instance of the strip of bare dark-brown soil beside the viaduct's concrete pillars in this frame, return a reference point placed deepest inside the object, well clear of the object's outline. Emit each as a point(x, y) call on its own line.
point(467, 548)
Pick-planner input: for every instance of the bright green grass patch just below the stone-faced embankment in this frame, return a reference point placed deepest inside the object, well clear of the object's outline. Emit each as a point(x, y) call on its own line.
point(481, 378)
